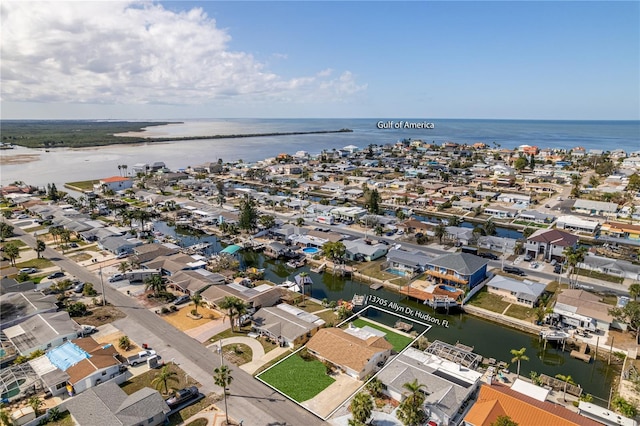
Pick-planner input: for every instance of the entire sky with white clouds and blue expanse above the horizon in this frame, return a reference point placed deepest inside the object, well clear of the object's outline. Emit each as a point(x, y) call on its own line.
point(336, 59)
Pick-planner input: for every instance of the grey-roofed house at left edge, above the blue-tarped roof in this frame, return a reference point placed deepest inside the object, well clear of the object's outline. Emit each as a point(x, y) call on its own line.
point(42, 332)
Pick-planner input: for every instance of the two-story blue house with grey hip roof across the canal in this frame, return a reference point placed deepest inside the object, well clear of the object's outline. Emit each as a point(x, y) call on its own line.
point(461, 270)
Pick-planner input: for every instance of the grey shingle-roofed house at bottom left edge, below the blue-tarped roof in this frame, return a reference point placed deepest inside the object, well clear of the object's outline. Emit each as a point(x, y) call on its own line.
point(109, 405)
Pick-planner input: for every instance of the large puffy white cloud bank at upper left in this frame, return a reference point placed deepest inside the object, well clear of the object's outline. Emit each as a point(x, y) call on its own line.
point(138, 53)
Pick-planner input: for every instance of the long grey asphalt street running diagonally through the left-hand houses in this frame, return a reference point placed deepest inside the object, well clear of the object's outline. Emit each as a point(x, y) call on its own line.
point(249, 399)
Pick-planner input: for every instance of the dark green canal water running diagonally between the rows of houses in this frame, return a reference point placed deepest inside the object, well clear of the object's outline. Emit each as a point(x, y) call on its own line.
point(488, 339)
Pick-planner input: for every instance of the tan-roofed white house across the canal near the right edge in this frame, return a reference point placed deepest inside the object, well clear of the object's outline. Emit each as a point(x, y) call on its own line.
point(579, 308)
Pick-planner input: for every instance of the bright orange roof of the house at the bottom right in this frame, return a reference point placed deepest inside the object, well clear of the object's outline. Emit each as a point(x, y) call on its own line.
point(497, 400)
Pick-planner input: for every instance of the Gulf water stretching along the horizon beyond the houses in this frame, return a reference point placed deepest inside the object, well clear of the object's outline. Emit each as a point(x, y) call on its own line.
point(64, 165)
